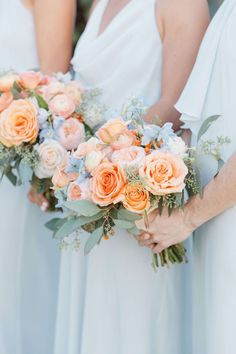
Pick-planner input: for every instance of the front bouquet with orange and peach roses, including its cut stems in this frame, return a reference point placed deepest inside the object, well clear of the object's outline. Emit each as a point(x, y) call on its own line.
point(118, 176)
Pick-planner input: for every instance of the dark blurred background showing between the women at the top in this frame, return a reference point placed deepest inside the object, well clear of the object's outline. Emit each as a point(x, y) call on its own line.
point(84, 5)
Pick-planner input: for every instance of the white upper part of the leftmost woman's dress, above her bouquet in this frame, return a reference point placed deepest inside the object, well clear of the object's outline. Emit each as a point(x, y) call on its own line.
point(17, 37)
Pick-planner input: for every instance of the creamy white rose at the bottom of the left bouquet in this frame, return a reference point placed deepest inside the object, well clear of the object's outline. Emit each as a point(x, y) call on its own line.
point(51, 155)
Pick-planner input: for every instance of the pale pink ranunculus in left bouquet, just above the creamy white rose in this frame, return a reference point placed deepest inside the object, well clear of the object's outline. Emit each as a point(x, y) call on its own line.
point(71, 134)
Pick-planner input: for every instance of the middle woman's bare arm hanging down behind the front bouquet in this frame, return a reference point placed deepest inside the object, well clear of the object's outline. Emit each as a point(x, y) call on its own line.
point(182, 24)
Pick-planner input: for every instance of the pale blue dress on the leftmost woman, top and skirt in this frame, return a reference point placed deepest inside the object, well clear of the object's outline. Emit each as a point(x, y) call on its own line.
point(28, 257)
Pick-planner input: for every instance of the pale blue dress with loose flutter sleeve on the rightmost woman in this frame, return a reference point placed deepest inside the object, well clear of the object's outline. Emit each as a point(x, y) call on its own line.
point(210, 91)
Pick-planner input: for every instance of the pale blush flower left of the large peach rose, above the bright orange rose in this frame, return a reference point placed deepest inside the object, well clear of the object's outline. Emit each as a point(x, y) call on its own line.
point(131, 156)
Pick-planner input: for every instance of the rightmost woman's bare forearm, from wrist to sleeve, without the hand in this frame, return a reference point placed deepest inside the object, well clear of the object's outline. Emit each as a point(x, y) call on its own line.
point(219, 195)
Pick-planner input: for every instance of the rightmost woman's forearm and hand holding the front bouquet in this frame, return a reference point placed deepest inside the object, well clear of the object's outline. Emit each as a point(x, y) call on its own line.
point(219, 195)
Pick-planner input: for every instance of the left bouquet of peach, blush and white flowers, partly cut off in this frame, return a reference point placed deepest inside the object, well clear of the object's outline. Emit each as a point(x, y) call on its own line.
point(42, 118)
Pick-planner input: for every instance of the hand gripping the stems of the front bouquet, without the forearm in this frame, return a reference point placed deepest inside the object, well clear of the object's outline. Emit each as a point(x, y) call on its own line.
point(163, 231)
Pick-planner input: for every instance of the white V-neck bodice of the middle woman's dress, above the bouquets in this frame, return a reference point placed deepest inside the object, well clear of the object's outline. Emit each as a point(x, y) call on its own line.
point(126, 59)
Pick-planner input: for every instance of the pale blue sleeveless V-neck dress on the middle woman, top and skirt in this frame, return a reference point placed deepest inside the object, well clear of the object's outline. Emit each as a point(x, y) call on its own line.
point(112, 302)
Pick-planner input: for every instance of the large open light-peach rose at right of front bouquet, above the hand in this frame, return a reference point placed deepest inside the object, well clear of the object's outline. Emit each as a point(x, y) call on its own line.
point(164, 173)
